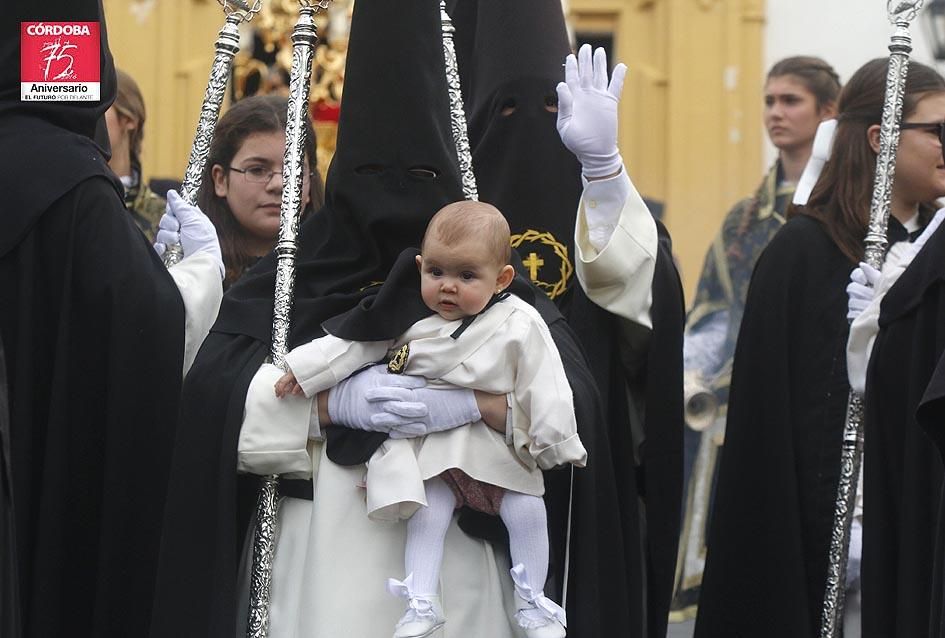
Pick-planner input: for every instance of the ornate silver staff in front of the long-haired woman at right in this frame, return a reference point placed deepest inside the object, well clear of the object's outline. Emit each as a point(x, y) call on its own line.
point(901, 14)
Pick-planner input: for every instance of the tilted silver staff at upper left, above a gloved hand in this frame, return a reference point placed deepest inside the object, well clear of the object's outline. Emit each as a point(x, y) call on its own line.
point(227, 46)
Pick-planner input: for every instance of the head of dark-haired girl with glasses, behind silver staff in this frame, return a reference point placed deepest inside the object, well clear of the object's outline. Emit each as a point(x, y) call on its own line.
point(241, 191)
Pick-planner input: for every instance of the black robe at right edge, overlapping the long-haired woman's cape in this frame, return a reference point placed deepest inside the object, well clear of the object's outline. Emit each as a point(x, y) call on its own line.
point(902, 471)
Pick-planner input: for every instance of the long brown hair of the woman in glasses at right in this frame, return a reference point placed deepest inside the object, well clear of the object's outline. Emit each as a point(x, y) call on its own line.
point(841, 198)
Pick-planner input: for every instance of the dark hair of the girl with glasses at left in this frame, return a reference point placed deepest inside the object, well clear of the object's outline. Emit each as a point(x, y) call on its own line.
point(256, 114)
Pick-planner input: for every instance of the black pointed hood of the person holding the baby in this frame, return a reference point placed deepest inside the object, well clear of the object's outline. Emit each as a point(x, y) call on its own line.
point(394, 167)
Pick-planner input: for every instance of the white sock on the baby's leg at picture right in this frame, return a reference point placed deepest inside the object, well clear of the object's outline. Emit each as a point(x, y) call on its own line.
point(527, 521)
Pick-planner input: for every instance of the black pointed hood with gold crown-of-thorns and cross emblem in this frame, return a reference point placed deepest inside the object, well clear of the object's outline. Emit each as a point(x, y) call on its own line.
point(510, 56)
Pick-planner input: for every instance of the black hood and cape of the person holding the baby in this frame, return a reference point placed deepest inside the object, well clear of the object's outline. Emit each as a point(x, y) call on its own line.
point(394, 120)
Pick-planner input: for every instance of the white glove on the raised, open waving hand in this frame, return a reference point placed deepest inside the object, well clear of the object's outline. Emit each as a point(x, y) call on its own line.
point(587, 111)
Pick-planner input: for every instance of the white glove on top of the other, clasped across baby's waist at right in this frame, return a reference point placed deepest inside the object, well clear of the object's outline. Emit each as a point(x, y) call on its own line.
point(420, 410)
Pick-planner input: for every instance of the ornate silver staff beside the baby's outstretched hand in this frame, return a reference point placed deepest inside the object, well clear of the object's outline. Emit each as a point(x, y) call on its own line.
point(304, 39)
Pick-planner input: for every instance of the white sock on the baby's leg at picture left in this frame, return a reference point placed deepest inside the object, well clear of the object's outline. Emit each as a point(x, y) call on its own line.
point(426, 531)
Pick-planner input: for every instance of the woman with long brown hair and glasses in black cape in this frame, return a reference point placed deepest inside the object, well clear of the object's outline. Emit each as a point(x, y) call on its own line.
point(769, 537)
